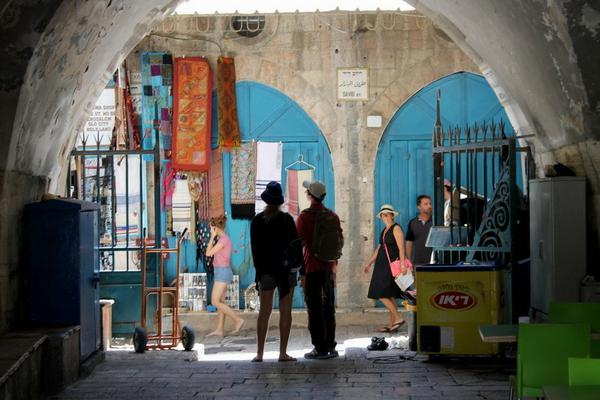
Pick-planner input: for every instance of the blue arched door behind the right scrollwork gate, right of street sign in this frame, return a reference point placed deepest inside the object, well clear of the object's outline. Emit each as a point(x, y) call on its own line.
point(404, 168)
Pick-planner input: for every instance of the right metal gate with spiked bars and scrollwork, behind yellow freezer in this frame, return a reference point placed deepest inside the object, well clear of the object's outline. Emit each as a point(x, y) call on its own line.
point(477, 202)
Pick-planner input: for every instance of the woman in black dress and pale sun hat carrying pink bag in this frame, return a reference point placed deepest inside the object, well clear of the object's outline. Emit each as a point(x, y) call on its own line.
point(382, 285)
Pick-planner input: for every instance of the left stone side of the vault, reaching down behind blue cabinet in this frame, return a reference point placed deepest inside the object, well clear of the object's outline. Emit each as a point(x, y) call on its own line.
point(61, 55)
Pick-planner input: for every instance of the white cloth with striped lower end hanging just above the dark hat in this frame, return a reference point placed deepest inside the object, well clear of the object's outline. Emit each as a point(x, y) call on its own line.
point(268, 168)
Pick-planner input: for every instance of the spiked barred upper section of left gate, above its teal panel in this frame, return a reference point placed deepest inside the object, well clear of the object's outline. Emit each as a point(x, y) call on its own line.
point(126, 185)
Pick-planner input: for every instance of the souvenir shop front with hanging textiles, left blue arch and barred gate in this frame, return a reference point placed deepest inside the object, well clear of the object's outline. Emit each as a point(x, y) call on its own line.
point(220, 142)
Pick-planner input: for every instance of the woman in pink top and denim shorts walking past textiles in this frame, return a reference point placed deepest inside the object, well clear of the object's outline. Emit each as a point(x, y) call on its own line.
point(221, 251)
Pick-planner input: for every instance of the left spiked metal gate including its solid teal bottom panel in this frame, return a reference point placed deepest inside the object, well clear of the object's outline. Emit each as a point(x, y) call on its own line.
point(122, 182)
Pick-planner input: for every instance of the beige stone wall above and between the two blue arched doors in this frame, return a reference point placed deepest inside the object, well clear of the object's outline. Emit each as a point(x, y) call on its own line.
point(298, 54)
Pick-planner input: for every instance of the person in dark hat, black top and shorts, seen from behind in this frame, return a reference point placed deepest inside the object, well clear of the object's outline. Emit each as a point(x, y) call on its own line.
point(271, 232)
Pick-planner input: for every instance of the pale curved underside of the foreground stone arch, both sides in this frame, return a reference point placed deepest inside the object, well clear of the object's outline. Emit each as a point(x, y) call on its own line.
point(73, 60)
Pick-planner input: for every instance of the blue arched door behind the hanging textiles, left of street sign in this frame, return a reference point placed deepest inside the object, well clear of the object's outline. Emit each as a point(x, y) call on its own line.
point(265, 114)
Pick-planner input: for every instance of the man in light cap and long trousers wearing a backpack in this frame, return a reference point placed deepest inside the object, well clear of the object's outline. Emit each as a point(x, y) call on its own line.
point(321, 234)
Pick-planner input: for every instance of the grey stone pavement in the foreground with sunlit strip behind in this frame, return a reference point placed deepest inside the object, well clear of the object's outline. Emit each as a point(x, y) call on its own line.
point(222, 370)
